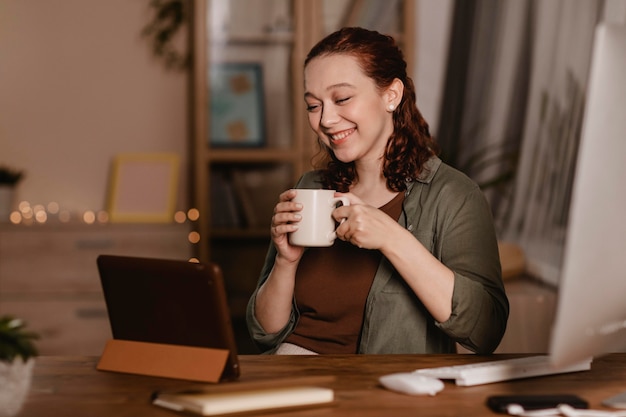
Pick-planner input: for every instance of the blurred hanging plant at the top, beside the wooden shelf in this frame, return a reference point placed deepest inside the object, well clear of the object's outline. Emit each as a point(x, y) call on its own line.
point(169, 17)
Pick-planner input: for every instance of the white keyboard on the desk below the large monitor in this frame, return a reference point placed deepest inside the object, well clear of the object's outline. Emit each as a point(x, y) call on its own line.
point(501, 370)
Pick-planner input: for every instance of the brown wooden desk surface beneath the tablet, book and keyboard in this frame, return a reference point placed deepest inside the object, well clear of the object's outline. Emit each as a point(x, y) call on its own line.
point(70, 386)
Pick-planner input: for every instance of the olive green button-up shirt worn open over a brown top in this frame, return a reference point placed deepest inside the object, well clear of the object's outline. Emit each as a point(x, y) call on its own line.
point(448, 214)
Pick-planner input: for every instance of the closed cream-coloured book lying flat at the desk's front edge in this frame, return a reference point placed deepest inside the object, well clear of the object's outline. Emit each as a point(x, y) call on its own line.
point(220, 402)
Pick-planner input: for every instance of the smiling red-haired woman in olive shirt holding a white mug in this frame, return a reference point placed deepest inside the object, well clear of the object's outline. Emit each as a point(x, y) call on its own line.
point(415, 268)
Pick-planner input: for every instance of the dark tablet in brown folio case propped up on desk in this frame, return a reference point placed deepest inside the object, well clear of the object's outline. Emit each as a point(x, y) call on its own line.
point(168, 302)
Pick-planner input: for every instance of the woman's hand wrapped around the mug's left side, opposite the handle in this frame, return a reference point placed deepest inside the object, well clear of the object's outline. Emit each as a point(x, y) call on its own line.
point(284, 221)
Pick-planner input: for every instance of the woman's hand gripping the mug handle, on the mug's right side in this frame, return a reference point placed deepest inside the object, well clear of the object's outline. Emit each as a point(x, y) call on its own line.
point(363, 225)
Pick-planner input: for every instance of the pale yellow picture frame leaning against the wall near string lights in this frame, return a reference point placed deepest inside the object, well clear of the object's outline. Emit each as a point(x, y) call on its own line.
point(143, 188)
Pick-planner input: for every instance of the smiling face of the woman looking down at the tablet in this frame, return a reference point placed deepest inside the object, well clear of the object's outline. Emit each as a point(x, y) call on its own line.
point(346, 109)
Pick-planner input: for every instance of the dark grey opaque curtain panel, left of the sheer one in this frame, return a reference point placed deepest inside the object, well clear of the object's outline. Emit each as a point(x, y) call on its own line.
point(486, 91)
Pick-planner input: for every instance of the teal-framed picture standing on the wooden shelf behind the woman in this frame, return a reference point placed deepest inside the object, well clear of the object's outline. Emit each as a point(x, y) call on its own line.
point(236, 107)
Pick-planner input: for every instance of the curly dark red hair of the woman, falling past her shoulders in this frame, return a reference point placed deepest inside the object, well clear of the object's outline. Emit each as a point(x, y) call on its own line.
point(410, 145)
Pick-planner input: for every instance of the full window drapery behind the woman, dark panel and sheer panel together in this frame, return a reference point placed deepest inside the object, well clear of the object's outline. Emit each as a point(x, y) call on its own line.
point(512, 113)
